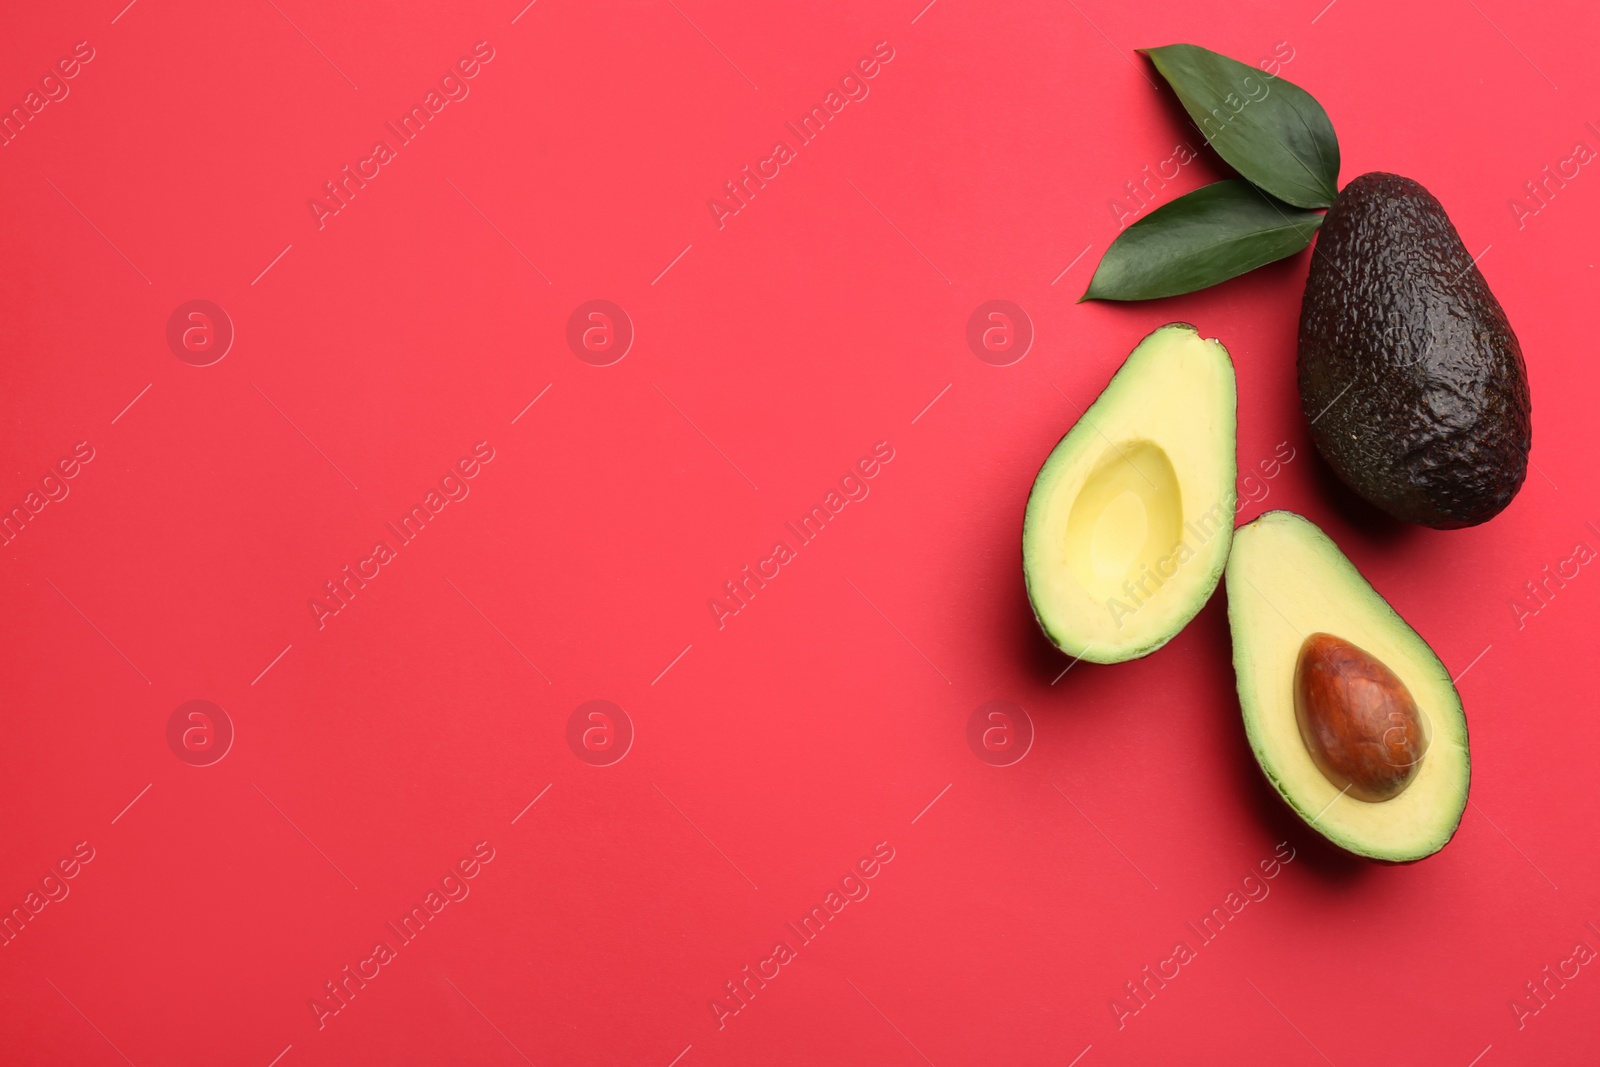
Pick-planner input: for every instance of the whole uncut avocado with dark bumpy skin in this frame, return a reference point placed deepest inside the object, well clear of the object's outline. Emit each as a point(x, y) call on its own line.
point(1409, 370)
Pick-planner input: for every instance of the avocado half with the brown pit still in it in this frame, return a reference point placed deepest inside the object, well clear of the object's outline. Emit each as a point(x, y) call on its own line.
point(1353, 717)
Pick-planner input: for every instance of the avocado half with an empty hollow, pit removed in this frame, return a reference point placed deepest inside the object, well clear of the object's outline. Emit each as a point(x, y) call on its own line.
point(1130, 519)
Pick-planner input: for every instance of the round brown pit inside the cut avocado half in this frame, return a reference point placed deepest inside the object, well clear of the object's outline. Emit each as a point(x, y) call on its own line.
point(1359, 722)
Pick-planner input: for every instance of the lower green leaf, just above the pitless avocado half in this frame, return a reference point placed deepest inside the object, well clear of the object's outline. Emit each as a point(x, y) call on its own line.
point(1204, 238)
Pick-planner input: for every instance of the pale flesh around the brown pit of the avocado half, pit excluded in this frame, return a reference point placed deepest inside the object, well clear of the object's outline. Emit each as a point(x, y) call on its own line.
point(1286, 581)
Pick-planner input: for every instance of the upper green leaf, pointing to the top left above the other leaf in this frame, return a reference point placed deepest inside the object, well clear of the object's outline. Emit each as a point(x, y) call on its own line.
point(1273, 132)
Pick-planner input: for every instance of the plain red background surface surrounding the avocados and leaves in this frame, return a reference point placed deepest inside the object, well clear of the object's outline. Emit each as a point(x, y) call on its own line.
point(830, 713)
